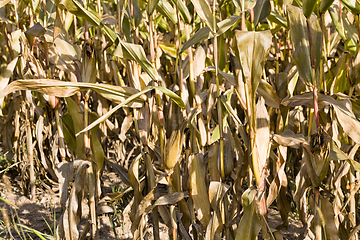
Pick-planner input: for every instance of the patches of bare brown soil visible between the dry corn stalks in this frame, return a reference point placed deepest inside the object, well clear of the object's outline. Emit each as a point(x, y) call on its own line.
point(116, 224)
